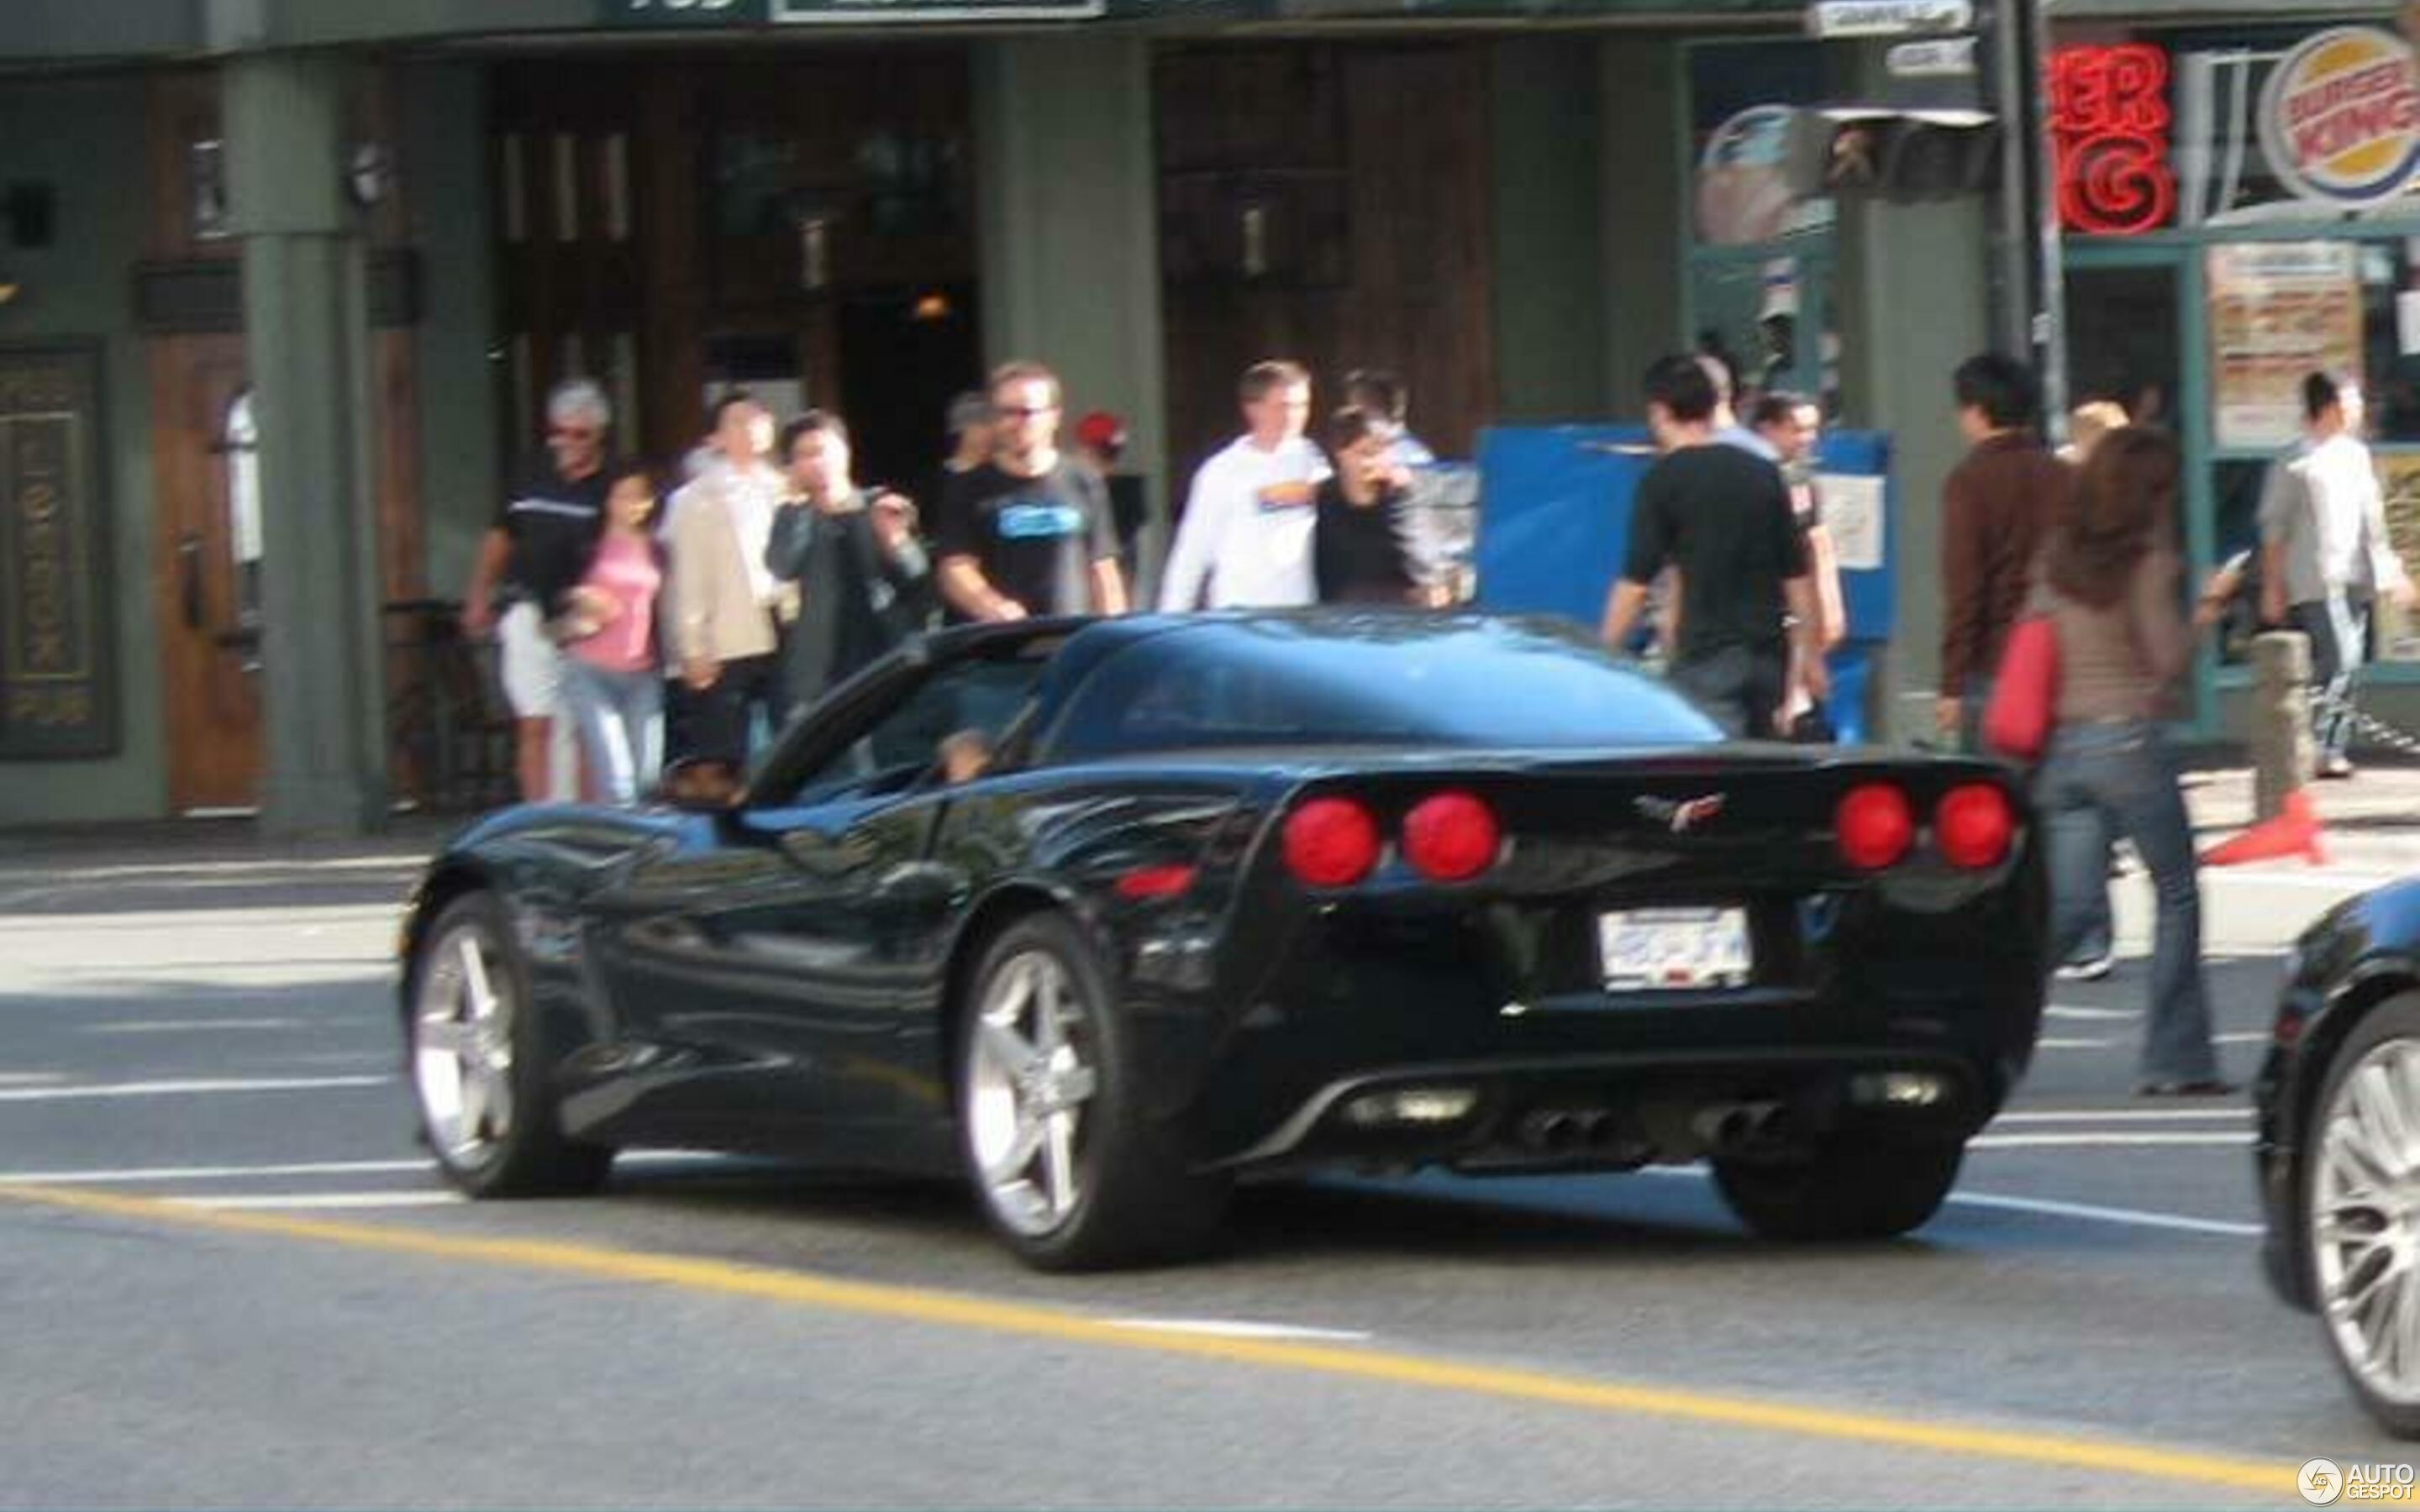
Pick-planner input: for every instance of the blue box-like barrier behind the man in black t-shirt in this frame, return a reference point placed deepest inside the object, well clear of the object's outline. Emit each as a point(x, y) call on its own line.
point(1555, 516)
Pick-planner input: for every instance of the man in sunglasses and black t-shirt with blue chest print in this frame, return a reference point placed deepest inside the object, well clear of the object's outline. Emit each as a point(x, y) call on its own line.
point(1030, 531)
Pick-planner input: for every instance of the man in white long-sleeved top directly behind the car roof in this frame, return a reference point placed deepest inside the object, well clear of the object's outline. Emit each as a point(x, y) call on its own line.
point(1248, 531)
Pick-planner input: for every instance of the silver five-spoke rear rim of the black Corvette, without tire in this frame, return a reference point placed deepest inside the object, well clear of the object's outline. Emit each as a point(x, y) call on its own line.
point(1030, 1083)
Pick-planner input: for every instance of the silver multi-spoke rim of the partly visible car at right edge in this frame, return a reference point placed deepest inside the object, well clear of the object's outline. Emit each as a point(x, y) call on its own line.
point(2366, 1220)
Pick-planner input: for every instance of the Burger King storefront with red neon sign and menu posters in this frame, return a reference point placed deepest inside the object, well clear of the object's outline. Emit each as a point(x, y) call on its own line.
point(2237, 209)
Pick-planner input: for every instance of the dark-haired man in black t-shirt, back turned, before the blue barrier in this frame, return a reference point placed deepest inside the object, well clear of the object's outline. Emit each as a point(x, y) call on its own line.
point(1724, 521)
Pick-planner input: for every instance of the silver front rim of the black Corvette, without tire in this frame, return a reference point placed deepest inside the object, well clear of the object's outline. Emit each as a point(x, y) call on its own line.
point(463, 1046)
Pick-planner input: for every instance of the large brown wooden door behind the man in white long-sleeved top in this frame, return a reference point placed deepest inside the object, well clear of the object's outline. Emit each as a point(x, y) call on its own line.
point(1325, 202)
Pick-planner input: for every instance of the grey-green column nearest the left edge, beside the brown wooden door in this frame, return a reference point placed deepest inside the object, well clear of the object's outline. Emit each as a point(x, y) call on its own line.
point(306, 345)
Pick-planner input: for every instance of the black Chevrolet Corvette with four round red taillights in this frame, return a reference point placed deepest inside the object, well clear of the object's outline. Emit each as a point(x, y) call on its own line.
point(1114, 913)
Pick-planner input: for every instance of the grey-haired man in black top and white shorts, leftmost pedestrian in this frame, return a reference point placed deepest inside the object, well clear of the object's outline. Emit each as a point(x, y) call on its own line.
point(534, 558)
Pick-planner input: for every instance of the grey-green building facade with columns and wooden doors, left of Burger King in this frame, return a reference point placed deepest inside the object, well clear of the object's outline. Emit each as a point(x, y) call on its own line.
point(284, 284)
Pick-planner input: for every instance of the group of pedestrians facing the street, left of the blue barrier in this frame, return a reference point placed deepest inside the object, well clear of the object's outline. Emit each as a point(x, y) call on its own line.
point(686, 630)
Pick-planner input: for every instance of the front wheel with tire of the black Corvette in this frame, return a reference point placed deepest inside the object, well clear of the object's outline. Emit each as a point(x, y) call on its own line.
point(478, 1066)
